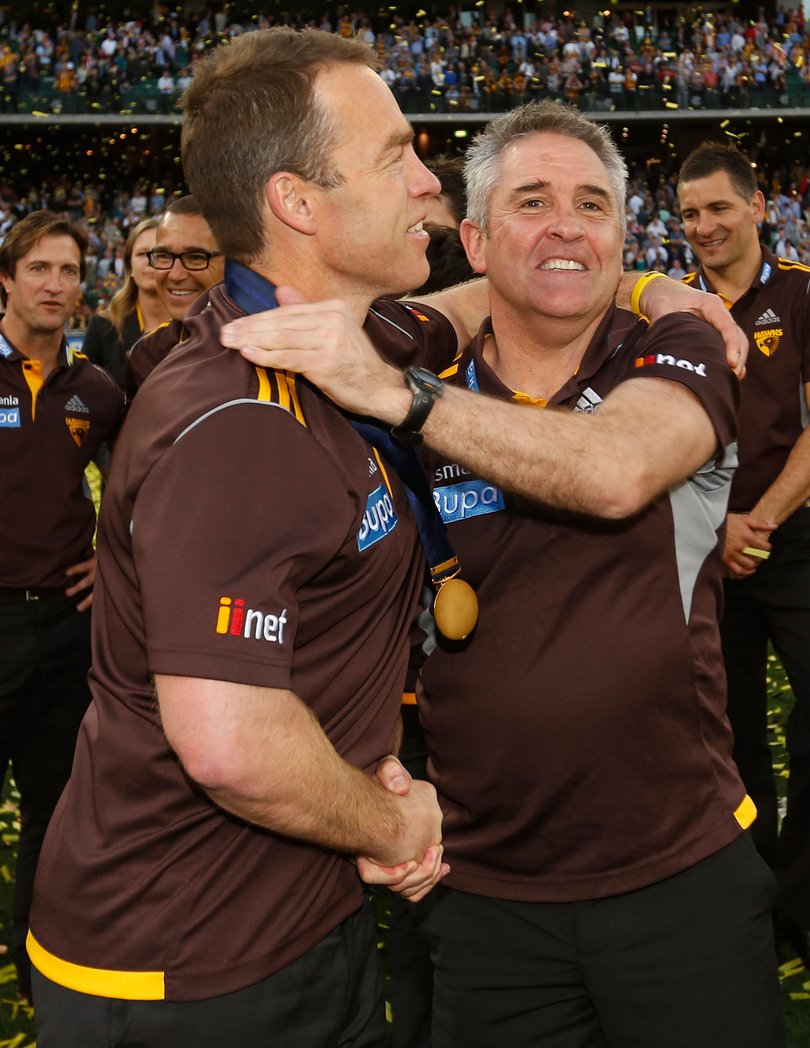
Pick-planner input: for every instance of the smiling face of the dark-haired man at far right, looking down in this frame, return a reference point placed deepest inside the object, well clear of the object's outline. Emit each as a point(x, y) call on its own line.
point(719, 224)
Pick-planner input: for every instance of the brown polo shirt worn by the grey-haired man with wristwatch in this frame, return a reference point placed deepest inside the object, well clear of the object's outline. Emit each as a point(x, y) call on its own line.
point(579, 738)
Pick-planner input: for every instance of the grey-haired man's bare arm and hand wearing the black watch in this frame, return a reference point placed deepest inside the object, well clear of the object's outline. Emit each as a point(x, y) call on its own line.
point(648, 434)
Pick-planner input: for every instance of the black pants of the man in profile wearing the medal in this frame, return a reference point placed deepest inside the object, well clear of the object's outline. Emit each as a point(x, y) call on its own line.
point(330, 998)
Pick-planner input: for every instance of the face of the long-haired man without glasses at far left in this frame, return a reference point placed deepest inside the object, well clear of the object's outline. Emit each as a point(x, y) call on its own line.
point(45, 290)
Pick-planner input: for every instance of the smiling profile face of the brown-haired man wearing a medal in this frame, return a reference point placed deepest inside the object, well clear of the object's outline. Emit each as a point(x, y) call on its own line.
point(369, 229)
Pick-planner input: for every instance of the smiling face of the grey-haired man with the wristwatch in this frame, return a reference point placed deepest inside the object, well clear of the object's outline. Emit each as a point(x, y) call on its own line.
point(553, 247)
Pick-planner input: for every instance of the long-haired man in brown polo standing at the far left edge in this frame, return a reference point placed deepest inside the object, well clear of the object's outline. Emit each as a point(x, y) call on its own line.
point(57, 414)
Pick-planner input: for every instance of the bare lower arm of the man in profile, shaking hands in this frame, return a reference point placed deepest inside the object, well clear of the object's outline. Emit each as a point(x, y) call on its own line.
point(261, 755)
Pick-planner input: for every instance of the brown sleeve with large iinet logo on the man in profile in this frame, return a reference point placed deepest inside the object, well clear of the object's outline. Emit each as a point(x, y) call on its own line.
point(237, 515)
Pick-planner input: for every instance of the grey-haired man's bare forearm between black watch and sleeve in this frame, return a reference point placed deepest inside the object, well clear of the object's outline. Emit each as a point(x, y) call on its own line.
point(610, 465)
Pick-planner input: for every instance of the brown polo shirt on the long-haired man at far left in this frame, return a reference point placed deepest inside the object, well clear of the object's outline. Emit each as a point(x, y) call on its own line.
point(51, 430)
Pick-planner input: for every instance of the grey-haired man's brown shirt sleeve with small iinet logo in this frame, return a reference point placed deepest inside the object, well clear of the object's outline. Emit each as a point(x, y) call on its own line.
point(685, 350)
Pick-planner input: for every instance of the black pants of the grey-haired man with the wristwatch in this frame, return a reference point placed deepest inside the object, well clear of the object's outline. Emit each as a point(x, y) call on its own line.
point(687, 964)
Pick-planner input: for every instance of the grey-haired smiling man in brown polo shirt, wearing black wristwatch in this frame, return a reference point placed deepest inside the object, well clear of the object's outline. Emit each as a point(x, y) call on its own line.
point(602, 888)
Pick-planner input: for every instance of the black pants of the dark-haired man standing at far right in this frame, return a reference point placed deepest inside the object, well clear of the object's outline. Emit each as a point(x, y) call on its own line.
point(773, 605)
